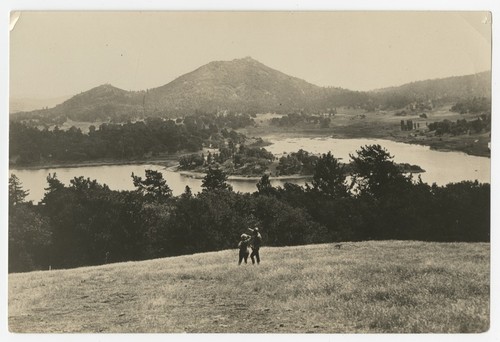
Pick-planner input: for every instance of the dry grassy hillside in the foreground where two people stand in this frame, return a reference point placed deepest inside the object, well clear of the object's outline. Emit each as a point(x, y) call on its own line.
point(389, 286)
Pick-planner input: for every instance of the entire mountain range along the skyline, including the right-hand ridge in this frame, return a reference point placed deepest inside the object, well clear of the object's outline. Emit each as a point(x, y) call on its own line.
point(247, 86)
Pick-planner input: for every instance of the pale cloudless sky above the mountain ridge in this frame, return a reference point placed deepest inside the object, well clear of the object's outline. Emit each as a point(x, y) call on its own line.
point(56, 54)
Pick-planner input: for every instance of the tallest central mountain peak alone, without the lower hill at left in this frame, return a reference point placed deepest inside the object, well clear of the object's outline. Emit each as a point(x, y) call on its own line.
point(241, 85)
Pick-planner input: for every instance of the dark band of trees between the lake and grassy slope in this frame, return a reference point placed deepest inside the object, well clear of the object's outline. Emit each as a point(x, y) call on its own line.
point(86, 223)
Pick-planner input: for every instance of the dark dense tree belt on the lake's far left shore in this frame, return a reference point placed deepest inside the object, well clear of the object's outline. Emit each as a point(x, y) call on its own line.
point(29, 145)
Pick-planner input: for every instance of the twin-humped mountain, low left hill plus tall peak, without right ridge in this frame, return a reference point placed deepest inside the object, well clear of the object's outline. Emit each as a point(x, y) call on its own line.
point(241, 85)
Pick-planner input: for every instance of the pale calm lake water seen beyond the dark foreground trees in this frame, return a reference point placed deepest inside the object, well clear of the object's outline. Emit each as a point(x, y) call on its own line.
point(441, 167)
